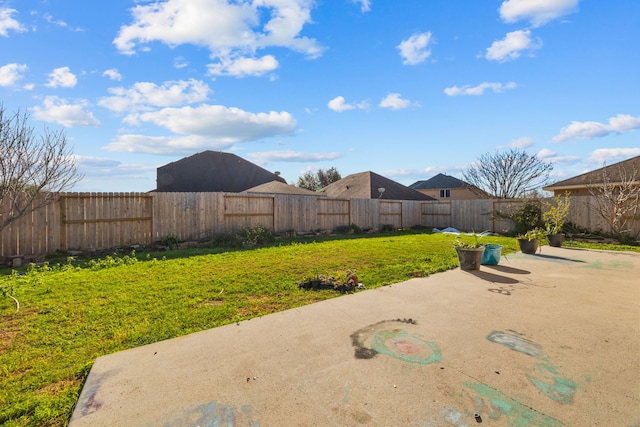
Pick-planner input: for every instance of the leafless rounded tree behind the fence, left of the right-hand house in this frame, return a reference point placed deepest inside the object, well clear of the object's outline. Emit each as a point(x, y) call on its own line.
point(507, 175)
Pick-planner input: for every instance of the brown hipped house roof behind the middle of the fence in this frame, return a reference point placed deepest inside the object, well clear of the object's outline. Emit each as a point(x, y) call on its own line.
point(369, 185)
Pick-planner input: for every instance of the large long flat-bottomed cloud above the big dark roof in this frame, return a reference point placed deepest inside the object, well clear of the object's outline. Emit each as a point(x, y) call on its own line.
point(220, 124)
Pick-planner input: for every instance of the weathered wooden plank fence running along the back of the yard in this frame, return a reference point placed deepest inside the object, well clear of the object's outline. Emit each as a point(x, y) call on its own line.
point(88, 221)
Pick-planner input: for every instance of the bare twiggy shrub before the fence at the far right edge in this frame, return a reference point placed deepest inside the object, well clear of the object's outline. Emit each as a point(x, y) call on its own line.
point(617, 198)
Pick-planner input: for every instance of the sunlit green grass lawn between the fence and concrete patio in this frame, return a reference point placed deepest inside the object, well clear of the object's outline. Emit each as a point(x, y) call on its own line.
point(69, 315)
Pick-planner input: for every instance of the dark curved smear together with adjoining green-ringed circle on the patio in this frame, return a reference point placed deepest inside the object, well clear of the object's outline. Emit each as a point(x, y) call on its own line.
point(387, 338)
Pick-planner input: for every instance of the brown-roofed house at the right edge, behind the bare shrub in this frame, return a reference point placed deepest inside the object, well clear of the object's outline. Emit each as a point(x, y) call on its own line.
point(627, 171)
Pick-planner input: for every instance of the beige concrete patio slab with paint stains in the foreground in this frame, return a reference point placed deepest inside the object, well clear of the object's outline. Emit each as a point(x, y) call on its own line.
point(544, 340)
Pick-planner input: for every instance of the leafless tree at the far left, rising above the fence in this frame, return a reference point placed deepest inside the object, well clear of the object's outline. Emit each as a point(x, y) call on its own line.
point(34, 169)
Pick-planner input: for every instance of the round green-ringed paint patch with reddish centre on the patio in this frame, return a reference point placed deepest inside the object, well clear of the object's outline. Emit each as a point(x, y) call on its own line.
point(407, 347)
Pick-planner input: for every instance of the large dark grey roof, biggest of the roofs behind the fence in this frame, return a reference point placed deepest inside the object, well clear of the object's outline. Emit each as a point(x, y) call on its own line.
point(212, 171)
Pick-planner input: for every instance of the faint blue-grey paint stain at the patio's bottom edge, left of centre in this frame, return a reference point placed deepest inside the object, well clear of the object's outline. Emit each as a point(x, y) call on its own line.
point(214, 414)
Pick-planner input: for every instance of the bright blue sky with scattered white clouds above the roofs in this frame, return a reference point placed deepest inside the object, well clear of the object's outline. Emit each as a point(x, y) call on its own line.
point(403, 88)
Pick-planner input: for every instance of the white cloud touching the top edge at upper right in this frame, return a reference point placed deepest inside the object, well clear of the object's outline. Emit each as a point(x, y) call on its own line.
point(538, 12)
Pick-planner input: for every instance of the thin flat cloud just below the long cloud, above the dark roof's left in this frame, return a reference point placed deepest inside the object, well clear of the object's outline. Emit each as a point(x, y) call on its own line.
point(134, 143)
